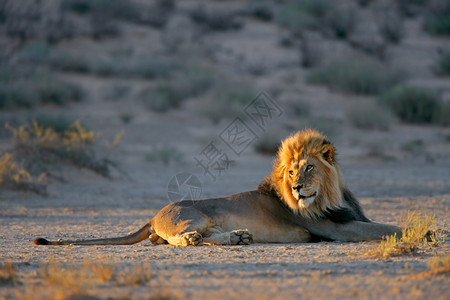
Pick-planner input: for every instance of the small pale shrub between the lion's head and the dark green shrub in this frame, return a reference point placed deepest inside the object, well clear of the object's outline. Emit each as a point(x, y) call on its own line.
point(369, 116)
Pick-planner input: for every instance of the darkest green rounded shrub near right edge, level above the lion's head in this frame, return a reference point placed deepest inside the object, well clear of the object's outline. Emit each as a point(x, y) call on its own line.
point(414, 104)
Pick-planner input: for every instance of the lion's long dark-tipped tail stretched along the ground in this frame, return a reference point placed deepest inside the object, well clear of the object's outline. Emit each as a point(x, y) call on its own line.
point(129, 239)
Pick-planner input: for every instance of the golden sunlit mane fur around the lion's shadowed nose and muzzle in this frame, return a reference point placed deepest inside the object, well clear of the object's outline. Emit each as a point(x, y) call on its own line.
point(313, 146)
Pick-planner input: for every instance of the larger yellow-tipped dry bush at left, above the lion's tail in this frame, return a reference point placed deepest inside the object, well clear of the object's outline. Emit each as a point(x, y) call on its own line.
point(43, 148)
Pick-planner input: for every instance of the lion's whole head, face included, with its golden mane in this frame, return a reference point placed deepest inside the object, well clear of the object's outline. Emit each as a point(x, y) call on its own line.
point(306, 175)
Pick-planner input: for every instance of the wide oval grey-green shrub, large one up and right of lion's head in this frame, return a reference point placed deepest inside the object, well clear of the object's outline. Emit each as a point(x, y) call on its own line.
point(356, 74)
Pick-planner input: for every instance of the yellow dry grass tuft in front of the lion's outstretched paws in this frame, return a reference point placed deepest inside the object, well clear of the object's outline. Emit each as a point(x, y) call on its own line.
point(417, 232)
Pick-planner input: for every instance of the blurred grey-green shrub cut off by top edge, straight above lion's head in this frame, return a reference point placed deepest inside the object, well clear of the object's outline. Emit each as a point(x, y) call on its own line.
point(299, 15)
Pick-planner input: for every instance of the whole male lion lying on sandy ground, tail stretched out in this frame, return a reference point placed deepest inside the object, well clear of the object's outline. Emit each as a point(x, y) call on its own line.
point(304, 197)
